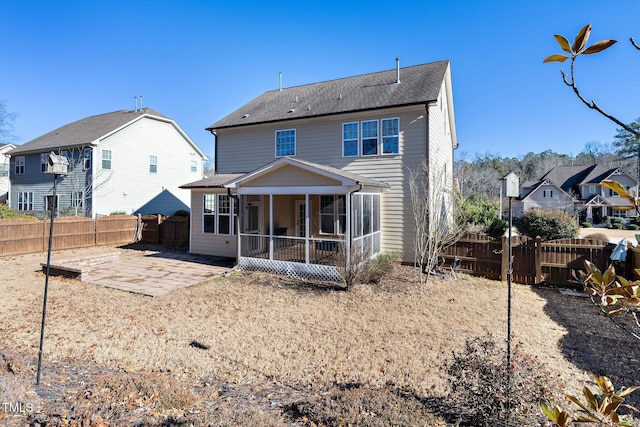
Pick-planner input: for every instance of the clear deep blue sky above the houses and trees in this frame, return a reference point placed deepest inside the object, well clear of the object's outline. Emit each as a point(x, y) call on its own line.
point(197, 61)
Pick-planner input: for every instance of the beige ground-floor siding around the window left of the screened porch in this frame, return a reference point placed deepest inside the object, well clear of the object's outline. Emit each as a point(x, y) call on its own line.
point(208, 243)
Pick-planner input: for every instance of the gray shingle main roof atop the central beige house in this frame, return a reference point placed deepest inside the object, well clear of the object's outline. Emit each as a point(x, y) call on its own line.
point(418, 85)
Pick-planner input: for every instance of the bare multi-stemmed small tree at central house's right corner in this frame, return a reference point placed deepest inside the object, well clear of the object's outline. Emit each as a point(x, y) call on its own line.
point(433, 202)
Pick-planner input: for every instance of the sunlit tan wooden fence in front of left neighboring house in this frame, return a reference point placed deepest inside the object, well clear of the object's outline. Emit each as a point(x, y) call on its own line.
point(22, 236)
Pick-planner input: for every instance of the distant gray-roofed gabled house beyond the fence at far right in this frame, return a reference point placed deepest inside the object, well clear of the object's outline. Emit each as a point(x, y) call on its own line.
point(578, 190)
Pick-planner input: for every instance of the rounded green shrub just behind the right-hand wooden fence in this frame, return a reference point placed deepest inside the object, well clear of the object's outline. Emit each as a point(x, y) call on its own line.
point(549, 225)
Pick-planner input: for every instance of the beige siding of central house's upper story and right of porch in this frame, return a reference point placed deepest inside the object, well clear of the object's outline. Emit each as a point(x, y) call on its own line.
point(320, 141)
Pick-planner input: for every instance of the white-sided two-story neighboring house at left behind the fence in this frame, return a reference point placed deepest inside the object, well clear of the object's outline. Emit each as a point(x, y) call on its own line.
point(124, 161)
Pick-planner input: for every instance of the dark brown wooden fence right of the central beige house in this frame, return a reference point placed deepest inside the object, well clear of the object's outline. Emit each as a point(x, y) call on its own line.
point(534, 261)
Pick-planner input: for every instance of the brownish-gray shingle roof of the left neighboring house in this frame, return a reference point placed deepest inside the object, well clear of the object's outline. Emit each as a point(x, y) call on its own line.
point(83, 131)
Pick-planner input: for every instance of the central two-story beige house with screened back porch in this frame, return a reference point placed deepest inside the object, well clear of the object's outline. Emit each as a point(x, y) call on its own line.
point(308, 172)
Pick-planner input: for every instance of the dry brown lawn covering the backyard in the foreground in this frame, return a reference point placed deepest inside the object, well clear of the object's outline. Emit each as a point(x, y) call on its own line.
point(260, 342)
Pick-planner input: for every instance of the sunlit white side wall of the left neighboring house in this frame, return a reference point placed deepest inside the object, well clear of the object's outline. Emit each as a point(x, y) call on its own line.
point(129, 184)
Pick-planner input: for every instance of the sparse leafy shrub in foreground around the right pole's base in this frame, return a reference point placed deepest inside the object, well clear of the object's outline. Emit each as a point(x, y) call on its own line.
point(479, 386)
